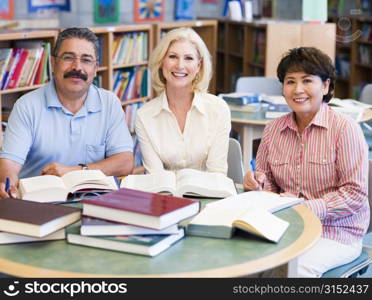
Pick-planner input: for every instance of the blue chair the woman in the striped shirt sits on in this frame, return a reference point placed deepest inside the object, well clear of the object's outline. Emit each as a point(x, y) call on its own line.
point(360, 265)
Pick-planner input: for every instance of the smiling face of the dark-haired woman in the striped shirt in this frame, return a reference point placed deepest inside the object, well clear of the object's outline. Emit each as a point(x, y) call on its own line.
point(304, 93)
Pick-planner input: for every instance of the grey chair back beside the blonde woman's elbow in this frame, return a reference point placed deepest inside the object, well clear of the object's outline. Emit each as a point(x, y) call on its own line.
point(235, 169)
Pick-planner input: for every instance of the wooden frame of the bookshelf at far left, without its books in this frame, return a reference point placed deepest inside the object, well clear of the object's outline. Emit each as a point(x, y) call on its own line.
point(9, 39)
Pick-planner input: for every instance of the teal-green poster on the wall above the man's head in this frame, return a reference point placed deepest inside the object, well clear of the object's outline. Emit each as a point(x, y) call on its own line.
point(106, 11)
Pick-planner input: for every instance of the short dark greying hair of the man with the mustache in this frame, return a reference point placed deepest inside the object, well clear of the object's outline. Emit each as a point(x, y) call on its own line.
point(75, 32)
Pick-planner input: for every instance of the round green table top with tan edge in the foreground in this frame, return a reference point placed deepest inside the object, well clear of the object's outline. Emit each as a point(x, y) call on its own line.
point(190, 257)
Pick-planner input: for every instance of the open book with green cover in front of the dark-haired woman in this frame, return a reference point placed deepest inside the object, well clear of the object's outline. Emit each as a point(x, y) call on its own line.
point(250, 212)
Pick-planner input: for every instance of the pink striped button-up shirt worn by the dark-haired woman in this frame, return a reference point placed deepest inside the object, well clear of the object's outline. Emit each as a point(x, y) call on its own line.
point(327, 165)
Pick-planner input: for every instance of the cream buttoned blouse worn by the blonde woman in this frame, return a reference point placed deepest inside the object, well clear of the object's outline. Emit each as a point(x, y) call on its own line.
point(203, 145)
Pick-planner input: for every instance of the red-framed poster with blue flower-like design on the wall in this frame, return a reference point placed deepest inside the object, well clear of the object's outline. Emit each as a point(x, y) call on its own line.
point(148, 10)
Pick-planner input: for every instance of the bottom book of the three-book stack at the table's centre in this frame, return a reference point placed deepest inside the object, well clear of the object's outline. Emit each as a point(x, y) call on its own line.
point(149, 245)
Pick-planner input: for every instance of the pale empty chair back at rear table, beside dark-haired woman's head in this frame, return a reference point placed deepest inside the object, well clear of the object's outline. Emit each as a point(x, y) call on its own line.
point(261, 85)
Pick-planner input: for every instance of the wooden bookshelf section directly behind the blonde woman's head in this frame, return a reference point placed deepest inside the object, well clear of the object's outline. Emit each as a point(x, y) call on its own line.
point(207, 29)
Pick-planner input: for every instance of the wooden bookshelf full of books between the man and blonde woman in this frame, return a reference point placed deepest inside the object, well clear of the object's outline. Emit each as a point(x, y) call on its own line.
point(116, 72)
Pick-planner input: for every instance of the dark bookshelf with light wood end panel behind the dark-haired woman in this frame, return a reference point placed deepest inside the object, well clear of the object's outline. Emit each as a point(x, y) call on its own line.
point(255, 48)
